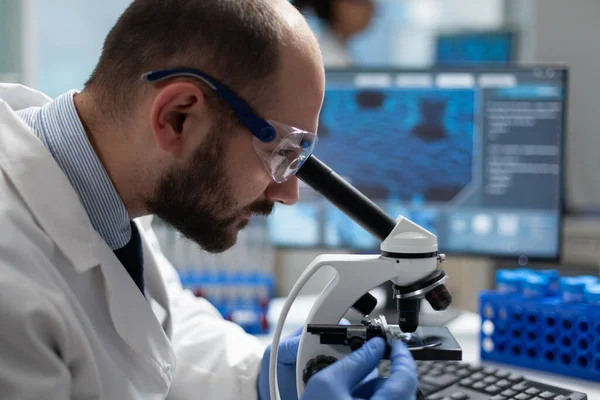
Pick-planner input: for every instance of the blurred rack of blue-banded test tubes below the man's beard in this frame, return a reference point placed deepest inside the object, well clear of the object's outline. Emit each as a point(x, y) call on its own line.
point(238, 283)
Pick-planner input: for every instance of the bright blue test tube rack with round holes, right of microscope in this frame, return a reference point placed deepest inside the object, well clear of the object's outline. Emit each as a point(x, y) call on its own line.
point(545, 331)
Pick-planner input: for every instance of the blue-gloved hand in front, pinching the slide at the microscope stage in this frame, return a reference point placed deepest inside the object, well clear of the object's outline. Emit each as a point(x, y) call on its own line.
point(344, 379)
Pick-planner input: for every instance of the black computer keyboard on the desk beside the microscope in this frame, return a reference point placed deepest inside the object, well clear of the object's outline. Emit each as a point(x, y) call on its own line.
point(453, 380)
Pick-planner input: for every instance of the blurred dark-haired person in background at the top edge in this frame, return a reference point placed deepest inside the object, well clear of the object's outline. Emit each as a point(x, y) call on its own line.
point(340, 21)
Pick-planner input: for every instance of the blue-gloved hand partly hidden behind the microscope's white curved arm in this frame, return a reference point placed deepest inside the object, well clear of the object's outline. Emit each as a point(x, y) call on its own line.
point(286, 368)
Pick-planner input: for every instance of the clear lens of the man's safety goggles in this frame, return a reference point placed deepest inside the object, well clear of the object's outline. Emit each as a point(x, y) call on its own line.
point(284, 156)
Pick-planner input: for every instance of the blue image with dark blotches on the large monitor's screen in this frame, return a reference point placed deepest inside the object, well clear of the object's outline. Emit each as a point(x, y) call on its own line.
point(400, 145)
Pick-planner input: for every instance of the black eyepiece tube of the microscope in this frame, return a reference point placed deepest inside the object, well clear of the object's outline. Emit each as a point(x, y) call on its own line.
point(346, 198)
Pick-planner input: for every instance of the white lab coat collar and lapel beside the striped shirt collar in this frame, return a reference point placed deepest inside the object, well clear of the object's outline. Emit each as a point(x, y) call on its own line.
point(36, 176)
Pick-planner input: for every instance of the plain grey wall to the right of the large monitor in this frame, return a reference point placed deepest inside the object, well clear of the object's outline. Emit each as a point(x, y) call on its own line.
point(568, 32)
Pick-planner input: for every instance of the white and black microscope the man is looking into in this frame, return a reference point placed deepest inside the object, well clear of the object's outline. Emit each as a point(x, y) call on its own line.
point(409, 258)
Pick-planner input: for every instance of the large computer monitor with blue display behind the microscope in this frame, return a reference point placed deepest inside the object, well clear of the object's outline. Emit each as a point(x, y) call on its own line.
point(473, 155)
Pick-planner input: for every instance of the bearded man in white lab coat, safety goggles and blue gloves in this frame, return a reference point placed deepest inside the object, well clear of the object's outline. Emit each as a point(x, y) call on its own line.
point(188, 115)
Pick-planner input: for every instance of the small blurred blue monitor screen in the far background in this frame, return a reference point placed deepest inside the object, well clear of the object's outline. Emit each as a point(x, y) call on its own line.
point(475, 48)
